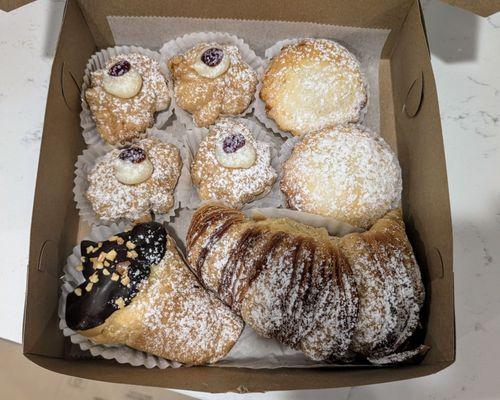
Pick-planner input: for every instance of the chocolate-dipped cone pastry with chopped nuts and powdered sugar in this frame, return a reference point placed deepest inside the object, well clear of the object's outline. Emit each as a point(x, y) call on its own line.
point(139, 292)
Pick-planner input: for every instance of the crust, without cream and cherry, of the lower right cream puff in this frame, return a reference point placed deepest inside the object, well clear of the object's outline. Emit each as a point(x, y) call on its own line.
point(235, 186)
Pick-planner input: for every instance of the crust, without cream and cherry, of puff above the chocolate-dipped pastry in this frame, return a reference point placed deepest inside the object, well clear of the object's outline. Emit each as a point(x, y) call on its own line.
point(112, 200)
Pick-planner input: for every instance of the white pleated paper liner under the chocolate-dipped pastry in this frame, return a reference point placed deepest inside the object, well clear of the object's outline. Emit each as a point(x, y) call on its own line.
point(71, 279)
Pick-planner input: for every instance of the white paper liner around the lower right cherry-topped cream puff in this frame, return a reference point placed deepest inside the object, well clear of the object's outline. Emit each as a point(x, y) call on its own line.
point(272, 198)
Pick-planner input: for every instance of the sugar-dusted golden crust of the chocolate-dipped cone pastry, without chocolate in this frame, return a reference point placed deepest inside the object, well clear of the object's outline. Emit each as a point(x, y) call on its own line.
point(172, 317)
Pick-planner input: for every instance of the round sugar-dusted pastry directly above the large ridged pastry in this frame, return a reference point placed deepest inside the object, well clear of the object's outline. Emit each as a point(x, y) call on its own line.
point(344, 172)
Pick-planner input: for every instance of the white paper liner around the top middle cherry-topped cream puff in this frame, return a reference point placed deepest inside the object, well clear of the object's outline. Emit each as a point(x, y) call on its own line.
point(184, 43)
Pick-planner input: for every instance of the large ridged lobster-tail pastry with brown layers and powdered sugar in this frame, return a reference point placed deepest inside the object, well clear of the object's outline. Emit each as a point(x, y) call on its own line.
point(320, 294)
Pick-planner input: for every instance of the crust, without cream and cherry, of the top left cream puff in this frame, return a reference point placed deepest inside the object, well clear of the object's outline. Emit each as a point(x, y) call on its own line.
point(121, 120)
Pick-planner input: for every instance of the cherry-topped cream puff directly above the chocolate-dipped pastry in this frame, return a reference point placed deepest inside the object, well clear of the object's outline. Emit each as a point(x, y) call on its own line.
point(130, 182)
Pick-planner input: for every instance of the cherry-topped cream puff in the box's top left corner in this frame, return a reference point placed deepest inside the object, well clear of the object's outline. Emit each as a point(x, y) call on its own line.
point(124, 96)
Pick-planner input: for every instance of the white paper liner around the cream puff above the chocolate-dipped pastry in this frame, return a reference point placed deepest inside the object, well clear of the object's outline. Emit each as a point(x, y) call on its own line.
point(91, 156)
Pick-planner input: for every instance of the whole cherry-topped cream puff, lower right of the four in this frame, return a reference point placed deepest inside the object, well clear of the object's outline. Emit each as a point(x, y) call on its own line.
point(231, 165)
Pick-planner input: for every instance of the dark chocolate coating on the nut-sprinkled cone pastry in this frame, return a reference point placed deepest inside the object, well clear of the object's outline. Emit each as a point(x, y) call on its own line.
point(92, 308)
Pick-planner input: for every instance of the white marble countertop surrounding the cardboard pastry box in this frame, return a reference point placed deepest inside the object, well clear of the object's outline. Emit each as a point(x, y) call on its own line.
point(466, 58)
